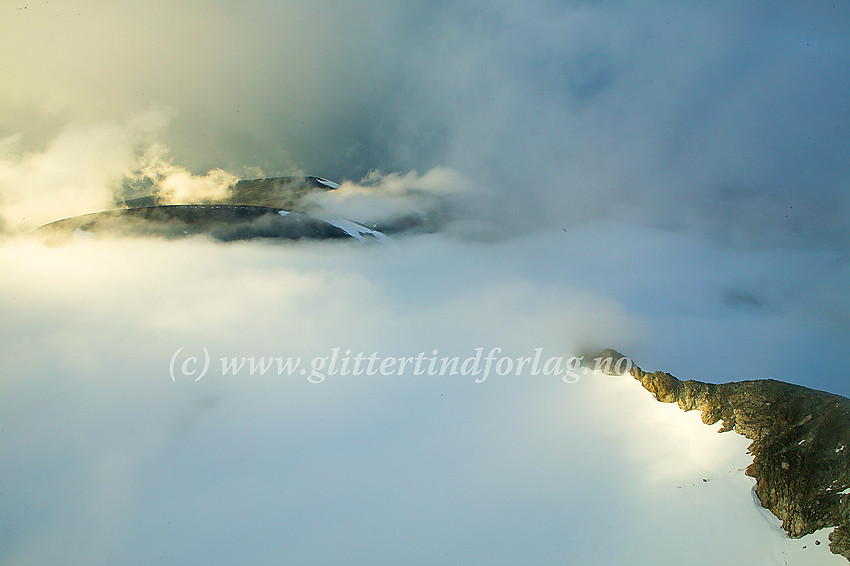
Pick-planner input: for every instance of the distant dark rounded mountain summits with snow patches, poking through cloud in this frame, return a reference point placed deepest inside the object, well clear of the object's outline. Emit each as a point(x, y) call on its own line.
point(272, 208)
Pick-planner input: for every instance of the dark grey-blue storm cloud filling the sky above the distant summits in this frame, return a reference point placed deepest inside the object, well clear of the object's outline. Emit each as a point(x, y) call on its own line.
point(565, 110)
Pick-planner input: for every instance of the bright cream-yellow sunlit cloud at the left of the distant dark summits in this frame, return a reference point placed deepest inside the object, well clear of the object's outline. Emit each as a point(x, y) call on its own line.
point(92, 167)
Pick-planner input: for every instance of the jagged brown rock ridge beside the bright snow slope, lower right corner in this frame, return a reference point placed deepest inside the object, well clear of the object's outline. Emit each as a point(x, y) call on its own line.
point(800, 444)
